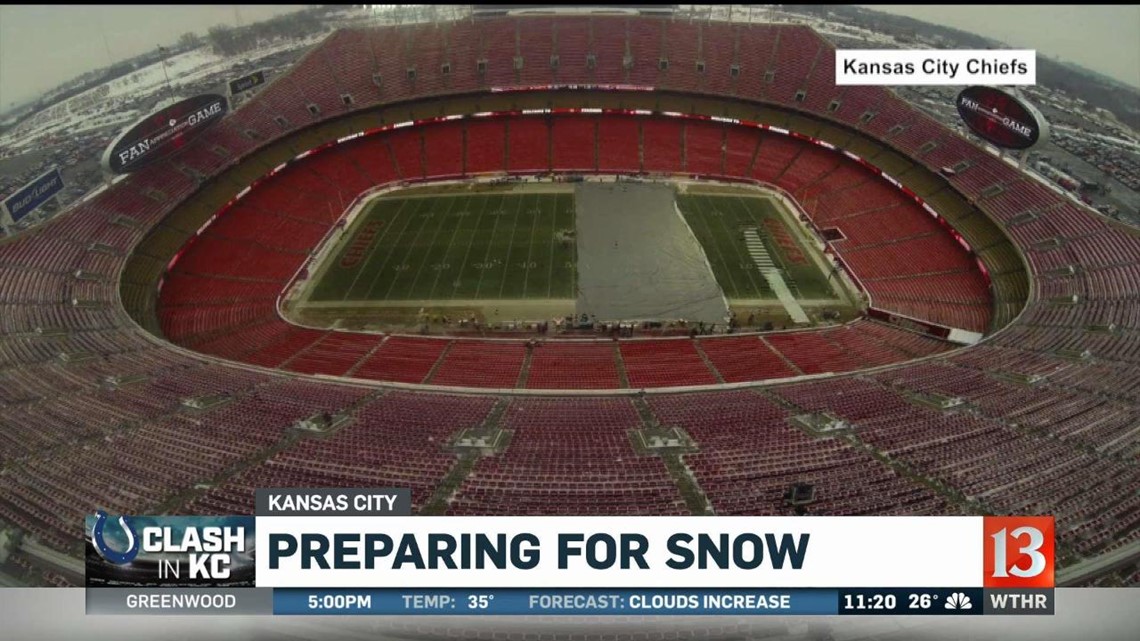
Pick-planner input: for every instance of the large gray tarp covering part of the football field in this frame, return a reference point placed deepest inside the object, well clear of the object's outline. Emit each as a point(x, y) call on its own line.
point(638, 259)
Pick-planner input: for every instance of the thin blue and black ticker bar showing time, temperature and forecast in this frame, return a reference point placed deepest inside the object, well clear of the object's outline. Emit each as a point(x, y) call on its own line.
point(625, 602)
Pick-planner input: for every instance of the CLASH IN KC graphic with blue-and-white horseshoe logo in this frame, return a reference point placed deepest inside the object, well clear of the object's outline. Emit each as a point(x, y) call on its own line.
point(193, 551)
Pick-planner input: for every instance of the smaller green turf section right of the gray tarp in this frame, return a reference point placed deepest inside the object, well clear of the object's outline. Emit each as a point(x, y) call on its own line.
point(719, 223)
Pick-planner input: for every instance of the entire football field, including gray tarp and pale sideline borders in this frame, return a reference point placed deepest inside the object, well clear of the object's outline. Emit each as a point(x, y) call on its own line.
point(502, 254)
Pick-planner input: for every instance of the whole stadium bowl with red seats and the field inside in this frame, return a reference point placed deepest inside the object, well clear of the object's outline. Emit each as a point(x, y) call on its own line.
point(585, 263)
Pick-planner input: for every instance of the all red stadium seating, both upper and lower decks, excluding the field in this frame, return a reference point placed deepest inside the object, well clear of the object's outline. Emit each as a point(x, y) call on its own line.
point(93, 400)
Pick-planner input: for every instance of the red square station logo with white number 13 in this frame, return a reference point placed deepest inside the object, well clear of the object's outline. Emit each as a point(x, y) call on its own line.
point(1019, 551)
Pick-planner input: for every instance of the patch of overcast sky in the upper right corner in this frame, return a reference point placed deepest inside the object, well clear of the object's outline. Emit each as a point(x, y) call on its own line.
point(1104, 38)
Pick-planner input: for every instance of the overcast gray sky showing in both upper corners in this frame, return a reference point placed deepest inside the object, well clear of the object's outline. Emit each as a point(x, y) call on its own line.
point(43, 46)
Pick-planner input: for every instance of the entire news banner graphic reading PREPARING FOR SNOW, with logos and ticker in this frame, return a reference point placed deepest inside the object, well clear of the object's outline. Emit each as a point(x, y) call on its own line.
point(361, 553)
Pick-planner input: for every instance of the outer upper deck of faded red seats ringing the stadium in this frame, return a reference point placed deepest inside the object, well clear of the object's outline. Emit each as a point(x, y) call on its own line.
point(1051, 401)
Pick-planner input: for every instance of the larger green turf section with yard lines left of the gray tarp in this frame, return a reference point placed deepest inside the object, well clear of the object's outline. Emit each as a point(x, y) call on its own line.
point(477, 247)
